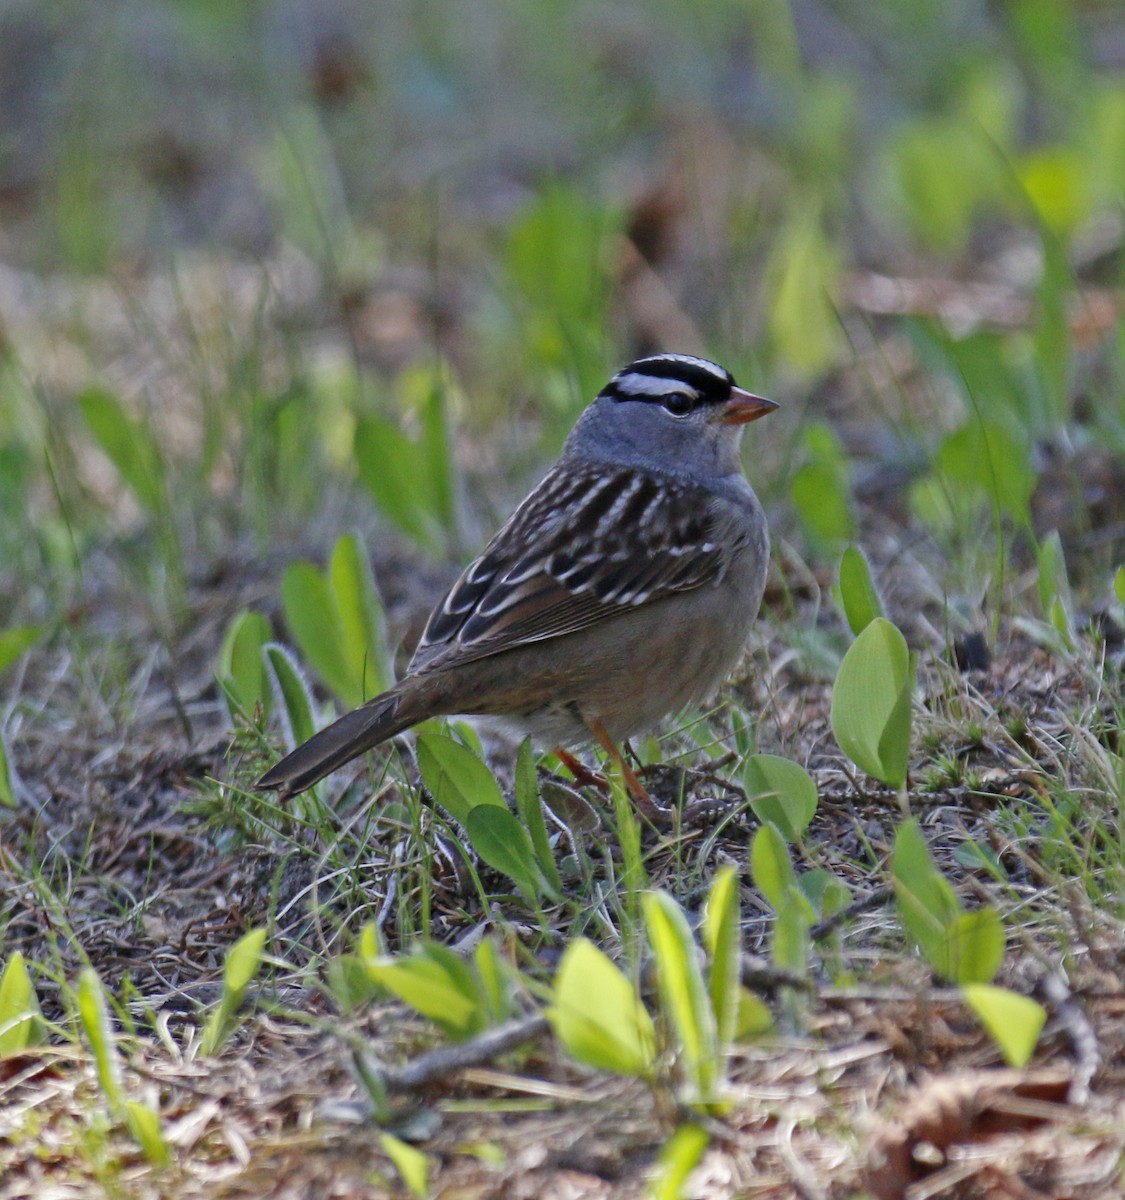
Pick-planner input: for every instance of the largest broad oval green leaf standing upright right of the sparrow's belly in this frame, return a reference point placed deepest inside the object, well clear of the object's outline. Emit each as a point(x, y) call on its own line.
point(871, 703)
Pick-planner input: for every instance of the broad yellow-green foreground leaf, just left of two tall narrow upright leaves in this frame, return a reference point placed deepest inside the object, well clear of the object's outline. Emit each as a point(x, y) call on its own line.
point(598, 1015)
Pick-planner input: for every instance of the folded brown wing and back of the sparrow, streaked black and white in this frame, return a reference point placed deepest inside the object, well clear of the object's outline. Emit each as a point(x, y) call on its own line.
point(583, 547)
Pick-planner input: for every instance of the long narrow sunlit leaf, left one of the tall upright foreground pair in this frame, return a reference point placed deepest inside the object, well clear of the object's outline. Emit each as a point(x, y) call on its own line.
point(684, 994)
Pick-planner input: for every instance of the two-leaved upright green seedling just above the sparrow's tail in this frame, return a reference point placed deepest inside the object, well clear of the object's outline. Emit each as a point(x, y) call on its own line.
point(336, 620)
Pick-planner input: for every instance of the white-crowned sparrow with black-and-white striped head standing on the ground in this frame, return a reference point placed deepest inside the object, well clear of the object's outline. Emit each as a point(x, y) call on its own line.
point(622, 590)
